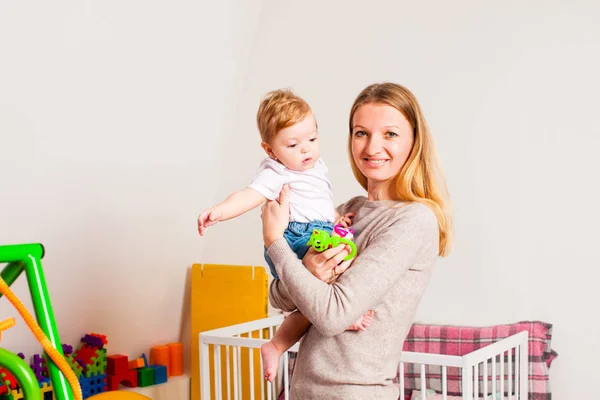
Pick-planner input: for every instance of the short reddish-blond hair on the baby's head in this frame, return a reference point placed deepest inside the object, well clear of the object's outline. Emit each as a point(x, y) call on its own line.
point(279, 109)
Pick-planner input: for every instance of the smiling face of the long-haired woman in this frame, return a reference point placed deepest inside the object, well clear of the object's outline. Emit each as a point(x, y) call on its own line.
point(382, 139)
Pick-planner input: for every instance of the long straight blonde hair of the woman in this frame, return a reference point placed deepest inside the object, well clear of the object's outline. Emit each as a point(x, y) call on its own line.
point(421, 178)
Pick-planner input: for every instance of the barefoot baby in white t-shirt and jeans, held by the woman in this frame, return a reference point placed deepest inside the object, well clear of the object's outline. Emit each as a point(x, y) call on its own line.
point(290, 138)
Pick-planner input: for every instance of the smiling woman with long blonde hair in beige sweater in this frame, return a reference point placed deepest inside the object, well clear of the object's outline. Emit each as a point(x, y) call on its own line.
point(400, 230)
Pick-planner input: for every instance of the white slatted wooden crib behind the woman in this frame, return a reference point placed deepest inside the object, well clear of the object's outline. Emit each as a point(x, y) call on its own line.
point(231, 366)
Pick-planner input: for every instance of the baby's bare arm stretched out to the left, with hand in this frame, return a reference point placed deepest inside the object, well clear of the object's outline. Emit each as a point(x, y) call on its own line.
point(236, 204)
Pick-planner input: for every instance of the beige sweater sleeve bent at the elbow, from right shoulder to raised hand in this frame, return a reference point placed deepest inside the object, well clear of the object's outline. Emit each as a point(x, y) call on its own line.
point(413, 236)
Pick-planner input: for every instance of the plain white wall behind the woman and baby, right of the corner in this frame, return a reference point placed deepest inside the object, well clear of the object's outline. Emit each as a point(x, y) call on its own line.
point(510, 91)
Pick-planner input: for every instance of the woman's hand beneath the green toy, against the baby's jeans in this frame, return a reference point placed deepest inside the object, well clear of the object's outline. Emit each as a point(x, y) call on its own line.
point(326, 265)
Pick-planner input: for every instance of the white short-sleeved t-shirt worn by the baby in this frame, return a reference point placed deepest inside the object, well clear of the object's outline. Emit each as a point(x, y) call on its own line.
point(311, 198)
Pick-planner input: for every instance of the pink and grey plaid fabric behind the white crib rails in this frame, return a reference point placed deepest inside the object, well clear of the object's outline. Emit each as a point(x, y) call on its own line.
point(458, 341)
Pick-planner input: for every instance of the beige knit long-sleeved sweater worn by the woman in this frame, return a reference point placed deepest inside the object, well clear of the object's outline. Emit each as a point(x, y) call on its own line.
point(397, 249)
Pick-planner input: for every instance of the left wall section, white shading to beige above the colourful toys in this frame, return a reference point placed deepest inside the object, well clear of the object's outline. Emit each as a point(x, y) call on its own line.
point(110, 115)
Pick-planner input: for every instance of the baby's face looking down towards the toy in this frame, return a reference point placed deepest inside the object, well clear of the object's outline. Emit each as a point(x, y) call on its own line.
point(297, 146)
